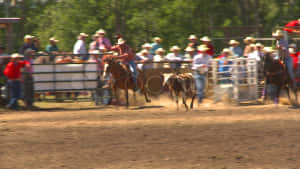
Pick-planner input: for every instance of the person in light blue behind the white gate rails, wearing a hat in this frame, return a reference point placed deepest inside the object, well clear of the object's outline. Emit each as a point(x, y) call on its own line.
point(224, 66)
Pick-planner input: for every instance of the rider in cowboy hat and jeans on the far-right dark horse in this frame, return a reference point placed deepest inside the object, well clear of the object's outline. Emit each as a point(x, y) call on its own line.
point(282, 46)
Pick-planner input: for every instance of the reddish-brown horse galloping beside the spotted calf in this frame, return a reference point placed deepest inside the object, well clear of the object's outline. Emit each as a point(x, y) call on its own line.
point(122, 78)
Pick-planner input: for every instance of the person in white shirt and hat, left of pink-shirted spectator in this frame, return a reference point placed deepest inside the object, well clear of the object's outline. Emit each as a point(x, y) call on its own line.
point(80, 48)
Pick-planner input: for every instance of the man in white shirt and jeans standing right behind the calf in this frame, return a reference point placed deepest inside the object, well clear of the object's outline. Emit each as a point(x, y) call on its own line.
point(200, 68)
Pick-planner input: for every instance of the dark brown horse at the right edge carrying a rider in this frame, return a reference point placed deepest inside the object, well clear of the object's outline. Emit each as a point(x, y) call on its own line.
point(276, 73)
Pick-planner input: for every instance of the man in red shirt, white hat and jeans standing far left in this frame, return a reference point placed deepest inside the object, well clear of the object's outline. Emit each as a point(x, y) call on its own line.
point(13, 73)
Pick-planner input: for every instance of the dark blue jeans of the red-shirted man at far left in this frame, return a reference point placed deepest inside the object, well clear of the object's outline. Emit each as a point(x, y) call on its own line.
point(15, 93)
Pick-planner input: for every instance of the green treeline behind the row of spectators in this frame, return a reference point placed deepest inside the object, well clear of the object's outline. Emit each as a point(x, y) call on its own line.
point(140, 20)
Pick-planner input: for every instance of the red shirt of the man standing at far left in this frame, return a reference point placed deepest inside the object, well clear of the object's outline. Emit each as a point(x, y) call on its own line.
point(13, 70)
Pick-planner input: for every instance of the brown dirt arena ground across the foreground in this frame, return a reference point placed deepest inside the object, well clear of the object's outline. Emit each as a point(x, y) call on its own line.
point(156, 136)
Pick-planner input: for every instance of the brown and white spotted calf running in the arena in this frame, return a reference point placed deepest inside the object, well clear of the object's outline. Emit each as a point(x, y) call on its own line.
point(182, 83)
